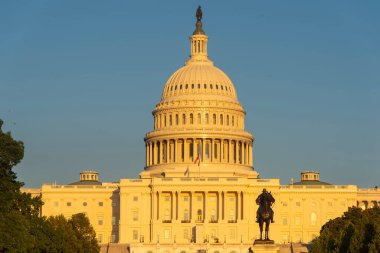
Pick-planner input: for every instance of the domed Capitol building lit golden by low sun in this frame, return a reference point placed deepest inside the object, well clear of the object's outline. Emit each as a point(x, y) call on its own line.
point(198, 188)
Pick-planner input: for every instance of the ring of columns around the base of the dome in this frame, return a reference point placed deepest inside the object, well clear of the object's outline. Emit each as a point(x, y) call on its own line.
point(208, 150)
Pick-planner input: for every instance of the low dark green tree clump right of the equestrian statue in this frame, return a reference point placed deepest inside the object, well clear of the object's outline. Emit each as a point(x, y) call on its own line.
point(357, 231)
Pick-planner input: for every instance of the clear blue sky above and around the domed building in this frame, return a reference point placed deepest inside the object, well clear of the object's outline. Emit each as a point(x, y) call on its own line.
point(79, 79)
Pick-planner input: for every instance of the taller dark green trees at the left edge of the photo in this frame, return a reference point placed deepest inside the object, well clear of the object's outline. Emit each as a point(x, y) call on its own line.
point(21, 227)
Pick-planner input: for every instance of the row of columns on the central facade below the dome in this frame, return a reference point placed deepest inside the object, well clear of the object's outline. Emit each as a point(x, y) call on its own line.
point(220, 212)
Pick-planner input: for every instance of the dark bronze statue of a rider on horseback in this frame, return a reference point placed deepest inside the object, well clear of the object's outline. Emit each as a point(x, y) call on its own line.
point(264, 212)
